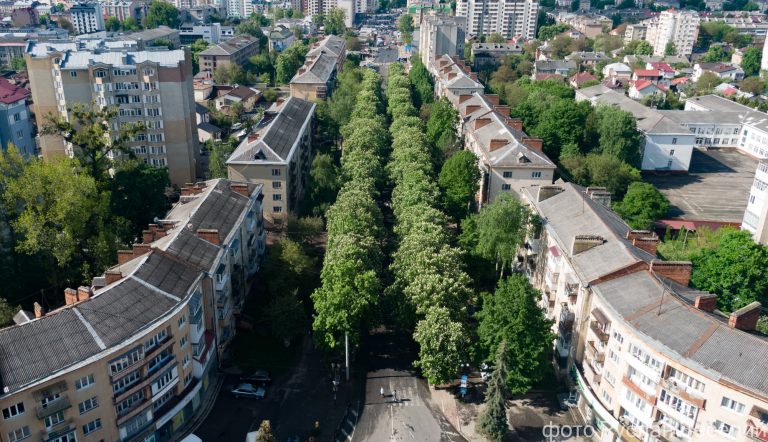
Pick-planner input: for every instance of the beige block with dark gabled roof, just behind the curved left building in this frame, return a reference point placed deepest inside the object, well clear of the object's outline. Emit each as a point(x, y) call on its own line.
point(277, 154)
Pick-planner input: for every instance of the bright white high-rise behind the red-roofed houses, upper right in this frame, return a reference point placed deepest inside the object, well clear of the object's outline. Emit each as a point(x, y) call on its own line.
point(672, 26)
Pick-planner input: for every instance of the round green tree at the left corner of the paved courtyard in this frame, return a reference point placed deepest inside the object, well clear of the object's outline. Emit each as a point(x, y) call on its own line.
point(642, 206)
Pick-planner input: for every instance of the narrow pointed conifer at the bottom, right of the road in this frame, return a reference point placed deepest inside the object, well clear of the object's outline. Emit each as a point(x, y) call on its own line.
point(493, 419)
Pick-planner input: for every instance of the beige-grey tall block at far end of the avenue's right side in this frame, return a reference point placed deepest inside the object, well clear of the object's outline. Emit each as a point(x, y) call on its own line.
point(441, 35)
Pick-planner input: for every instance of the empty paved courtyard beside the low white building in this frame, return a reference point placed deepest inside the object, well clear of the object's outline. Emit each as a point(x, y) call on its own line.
point(715, 189)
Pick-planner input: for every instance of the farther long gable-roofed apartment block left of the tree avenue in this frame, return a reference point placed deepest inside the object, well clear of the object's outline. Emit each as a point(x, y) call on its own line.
point(316, 79)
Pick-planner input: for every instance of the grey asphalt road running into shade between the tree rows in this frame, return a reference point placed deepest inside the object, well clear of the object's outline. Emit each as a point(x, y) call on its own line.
point(409, 416)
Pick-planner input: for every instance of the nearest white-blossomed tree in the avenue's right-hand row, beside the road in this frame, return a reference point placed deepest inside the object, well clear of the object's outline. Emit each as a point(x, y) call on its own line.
point(442, 345)
